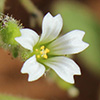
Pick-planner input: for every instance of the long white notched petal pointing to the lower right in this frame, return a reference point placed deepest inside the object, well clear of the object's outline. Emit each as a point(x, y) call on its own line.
point(64, 67)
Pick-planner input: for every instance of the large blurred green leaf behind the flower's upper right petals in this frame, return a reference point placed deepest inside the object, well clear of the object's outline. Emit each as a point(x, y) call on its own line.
point(78, 16)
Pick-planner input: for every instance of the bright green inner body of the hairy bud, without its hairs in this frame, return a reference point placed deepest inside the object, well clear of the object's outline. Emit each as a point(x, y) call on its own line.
point(9, 32)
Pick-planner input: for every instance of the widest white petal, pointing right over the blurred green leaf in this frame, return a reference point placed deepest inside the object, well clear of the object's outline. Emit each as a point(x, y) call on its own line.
point(69, 43)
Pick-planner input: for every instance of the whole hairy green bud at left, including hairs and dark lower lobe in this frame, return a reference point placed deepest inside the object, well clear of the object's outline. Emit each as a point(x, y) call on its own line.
point(9, 30)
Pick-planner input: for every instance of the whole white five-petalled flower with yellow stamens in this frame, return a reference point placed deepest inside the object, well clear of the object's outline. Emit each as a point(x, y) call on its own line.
point(49, 50)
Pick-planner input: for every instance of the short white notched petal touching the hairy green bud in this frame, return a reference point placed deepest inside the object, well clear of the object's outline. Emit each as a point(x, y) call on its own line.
point(28, 38)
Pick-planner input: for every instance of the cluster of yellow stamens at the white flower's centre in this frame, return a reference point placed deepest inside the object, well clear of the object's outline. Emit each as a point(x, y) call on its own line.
point(42, 52)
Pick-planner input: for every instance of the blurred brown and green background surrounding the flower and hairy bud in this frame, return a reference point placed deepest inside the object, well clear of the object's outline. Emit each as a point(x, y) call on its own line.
point(76, 14)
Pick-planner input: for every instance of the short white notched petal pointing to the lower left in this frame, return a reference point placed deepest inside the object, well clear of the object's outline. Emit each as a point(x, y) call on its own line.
point(33, 68)
